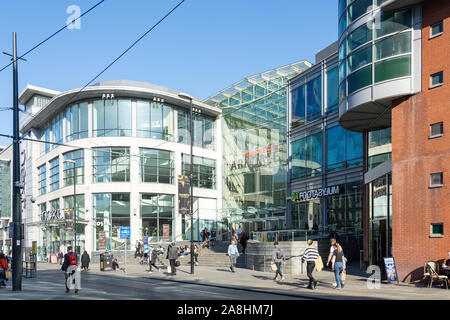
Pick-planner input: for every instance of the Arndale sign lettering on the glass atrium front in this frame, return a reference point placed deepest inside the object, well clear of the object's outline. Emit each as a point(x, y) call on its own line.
point(257, 158)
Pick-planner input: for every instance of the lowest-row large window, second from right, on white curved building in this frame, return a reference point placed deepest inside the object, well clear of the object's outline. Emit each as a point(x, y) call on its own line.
point(156, 211)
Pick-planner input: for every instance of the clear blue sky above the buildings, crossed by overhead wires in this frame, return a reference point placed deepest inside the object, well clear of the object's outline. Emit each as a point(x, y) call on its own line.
point(203, 47)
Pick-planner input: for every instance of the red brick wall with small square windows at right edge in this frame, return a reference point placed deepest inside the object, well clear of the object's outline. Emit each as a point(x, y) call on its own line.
point(414, 156)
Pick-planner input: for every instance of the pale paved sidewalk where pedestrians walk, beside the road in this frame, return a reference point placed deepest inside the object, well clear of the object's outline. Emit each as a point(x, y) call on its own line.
point(293, 285)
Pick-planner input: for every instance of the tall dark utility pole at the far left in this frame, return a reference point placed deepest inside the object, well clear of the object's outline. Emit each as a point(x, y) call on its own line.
point(17, 185)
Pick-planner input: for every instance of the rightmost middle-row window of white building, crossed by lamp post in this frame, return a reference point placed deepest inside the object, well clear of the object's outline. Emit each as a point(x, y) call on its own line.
point(203, 171)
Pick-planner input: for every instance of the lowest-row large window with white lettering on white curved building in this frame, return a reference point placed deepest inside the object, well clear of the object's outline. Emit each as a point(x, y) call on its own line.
point(111, 211)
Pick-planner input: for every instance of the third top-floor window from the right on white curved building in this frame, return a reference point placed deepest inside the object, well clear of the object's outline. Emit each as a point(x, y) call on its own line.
point(111, 118)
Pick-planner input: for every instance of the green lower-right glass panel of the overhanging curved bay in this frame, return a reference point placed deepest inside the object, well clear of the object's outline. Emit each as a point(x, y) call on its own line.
point(393, 68)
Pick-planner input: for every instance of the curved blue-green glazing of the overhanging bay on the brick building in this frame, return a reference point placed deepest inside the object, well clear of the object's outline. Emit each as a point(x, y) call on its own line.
point(372, 54)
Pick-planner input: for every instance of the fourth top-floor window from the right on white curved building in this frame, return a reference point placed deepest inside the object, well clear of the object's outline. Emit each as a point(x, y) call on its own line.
point(76, 123)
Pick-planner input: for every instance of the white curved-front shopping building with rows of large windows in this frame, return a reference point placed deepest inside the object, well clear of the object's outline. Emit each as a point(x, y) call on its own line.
point(124, 144)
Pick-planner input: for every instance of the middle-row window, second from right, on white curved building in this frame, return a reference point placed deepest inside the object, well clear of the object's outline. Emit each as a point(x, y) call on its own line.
point(156, 166)
